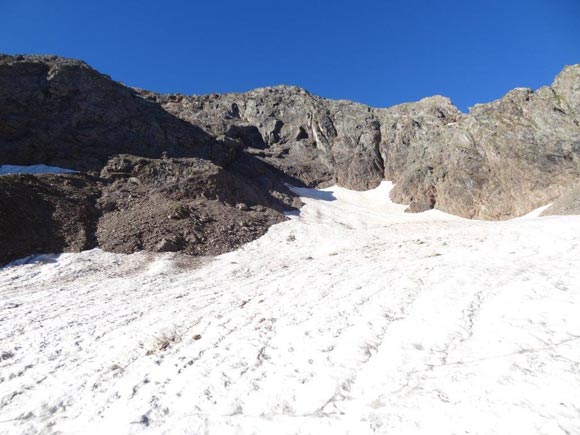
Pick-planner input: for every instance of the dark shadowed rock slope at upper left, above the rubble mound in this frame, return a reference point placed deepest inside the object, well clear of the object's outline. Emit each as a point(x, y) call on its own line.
point(63, 113)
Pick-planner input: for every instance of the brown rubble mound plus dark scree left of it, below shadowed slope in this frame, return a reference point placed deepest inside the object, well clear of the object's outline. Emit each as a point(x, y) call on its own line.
point(163, 205)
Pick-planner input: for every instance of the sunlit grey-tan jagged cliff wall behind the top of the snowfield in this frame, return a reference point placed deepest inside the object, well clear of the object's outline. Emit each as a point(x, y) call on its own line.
point(501, 160)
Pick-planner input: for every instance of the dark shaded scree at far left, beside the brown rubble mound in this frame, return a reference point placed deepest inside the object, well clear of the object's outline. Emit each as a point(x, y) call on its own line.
point(47, 214)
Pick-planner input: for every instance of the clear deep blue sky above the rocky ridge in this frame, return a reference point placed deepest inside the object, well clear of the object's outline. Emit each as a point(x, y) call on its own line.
point(376, 52)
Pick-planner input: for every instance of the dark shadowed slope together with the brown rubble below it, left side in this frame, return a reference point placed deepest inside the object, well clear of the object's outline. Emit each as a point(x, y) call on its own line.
point(182, 189)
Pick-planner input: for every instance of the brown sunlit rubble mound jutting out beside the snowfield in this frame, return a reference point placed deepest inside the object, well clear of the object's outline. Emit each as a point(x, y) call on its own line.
point(188, 205)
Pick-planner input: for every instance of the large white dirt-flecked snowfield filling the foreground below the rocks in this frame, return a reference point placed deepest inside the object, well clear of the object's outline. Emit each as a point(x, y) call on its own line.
point(352, 317)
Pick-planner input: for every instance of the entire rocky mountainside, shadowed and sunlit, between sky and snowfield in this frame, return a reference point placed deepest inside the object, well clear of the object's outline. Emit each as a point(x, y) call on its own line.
point(204, 174)
